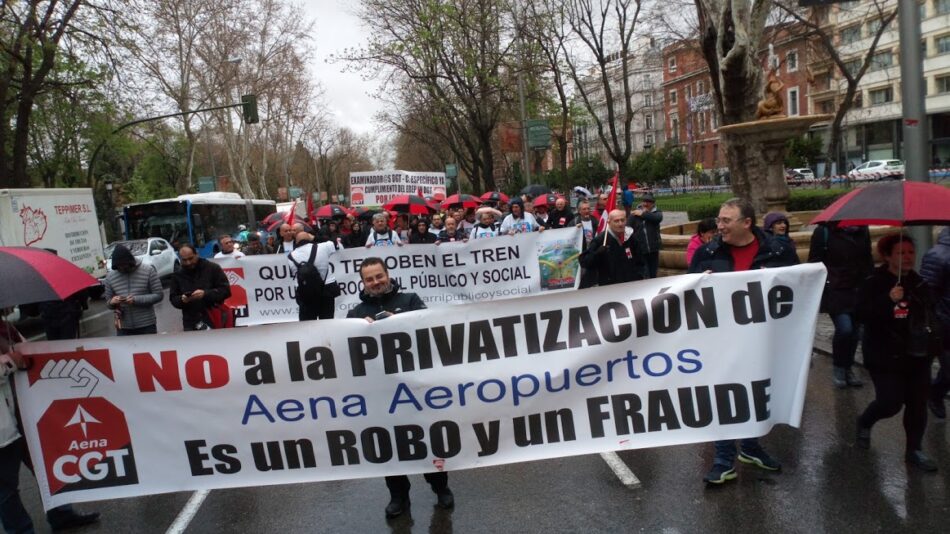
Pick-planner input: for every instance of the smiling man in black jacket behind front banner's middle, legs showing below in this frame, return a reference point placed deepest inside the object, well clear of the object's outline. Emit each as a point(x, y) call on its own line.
point(381, 299)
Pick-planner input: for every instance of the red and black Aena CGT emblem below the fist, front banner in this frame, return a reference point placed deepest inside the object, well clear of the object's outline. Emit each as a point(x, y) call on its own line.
point(86, 445)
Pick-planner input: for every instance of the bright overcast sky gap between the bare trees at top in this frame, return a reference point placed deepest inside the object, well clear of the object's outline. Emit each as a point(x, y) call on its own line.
point(346, 94)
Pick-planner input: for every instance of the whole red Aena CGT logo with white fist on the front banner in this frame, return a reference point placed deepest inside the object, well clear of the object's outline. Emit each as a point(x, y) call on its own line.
point(85, 440)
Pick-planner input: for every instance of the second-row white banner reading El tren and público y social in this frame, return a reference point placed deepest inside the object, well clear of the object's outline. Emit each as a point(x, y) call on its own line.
point(263, 287)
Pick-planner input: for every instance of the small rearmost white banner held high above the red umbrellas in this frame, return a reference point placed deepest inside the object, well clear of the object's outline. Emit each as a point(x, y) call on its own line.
point(375, 188)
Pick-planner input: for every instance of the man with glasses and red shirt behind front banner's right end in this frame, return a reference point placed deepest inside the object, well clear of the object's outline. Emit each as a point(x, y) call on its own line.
point(740, 246)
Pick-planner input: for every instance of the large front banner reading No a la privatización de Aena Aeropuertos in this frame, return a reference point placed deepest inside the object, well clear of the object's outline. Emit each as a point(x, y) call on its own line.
point(660, 362)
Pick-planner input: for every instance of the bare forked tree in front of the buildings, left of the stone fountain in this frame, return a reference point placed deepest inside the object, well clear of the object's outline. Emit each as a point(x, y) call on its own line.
point(606, 27)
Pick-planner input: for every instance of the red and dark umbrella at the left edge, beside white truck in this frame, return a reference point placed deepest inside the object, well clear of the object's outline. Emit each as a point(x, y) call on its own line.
point(36, 275)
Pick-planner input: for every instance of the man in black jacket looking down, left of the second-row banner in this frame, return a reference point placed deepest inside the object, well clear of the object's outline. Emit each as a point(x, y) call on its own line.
point(196, 287)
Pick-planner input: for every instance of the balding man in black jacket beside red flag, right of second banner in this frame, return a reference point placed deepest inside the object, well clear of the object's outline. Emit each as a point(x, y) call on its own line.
point(615, 254)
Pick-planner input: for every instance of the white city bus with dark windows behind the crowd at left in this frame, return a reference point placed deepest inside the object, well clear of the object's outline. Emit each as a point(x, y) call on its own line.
point(198, 219)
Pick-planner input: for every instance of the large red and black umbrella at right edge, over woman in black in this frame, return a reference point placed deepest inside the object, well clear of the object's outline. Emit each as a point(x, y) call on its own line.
point(891, 203)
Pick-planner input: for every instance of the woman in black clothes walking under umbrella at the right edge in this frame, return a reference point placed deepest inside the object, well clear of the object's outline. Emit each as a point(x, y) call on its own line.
point(901, 339)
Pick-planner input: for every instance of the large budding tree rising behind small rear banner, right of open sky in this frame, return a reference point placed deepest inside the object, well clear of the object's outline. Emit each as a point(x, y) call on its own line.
point(453, 52)
